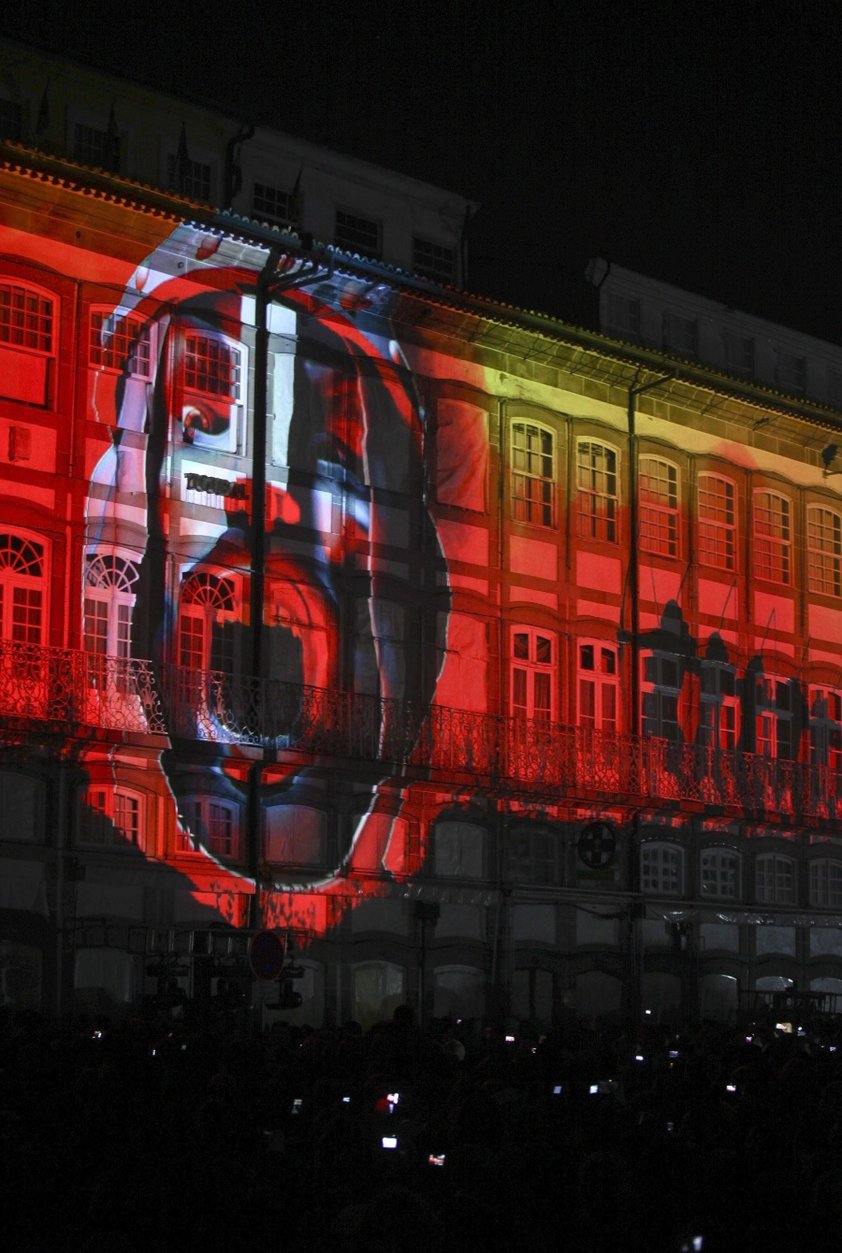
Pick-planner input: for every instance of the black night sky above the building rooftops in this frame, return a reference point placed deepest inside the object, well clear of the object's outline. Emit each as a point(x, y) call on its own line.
point(696, 142)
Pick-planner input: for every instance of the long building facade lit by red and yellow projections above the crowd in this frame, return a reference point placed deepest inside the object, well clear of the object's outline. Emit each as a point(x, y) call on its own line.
point(494, 662)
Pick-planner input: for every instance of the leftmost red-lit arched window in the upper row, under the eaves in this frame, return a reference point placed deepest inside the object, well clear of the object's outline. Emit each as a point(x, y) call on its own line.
point(27, 343)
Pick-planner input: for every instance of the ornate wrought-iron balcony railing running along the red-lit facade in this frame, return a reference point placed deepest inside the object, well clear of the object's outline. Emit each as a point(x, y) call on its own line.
point(71, 692)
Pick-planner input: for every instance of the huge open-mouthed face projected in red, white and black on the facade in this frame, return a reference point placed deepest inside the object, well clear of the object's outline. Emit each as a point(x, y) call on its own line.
point(348, 632)
